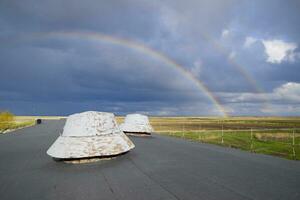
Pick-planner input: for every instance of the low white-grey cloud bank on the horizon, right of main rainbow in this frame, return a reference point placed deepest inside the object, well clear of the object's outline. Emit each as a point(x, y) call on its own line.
point(283, 100)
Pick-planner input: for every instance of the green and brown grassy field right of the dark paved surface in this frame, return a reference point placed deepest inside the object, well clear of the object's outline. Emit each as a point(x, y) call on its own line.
point(279, 136)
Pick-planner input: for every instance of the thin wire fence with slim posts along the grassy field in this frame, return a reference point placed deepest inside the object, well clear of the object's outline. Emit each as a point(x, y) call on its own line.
point(283, 142)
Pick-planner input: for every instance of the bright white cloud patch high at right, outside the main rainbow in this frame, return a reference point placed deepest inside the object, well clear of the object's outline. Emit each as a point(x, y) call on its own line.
point(278, 51)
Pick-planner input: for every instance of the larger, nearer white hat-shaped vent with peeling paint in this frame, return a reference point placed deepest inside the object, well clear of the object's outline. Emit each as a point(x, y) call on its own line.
point(90, 134)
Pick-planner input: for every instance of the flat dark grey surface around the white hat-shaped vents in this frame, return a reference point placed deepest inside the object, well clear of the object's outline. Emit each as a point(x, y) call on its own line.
point(158, 168)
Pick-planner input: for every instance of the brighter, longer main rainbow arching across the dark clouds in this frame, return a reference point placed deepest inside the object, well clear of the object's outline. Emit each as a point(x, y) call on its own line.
point(141, 48)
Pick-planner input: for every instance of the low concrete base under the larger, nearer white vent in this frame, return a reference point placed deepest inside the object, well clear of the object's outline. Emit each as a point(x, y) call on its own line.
point(88, 159)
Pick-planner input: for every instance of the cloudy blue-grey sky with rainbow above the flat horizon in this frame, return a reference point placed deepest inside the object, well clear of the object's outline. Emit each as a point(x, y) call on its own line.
point(158, 57)
